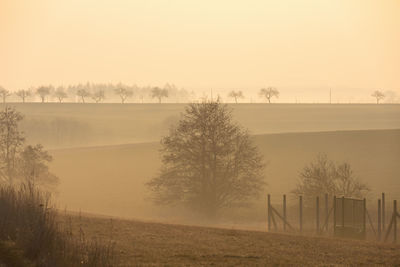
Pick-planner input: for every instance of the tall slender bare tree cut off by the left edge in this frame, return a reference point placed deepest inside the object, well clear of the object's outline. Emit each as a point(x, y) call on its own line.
point(11, 140)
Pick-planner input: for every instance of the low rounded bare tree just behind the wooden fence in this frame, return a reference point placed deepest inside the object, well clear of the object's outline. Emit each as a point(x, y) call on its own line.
point(323, 176)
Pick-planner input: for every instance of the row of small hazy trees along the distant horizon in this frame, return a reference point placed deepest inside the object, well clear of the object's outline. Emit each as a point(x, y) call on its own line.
point(99, 92)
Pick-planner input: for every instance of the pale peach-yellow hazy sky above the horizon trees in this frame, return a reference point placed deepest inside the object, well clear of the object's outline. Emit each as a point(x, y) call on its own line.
point(303, 47)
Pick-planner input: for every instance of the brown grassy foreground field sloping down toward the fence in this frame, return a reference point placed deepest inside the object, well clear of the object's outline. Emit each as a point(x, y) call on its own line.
point(146, 243)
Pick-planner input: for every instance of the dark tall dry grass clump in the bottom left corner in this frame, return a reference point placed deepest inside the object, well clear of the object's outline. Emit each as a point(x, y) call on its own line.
point(32, 234)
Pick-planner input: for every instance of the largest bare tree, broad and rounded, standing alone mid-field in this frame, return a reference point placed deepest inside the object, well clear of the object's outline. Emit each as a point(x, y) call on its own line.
point(209, 162)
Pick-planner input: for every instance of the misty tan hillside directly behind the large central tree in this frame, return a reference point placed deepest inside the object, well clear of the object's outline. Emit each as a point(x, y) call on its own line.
point(110, 179)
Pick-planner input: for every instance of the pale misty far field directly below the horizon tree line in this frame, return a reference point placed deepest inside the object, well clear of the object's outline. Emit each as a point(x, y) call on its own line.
point(71, 125)
